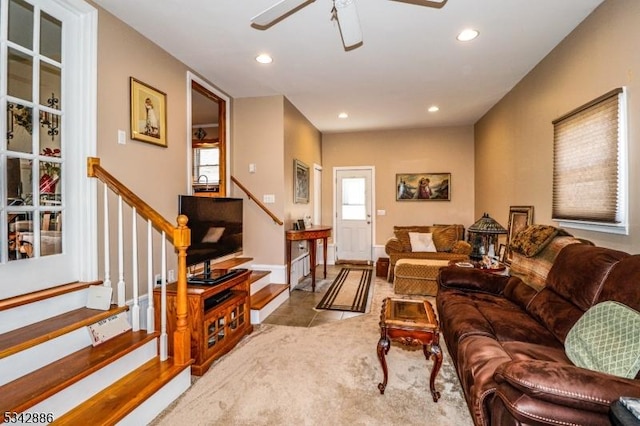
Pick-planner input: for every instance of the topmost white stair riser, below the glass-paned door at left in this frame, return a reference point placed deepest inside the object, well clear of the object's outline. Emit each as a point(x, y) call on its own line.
point(31, 313)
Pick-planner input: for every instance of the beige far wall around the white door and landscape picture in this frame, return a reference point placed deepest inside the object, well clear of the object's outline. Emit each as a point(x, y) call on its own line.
point(447, 149)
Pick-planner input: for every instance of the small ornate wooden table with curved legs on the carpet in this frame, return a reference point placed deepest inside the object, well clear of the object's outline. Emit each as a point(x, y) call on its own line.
point(411, 323)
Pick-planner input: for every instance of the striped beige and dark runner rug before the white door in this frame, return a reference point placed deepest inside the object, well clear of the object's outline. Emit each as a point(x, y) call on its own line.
point(349, 291)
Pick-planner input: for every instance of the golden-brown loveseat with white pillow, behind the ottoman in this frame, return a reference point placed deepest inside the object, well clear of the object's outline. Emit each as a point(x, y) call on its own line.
point(448, 240)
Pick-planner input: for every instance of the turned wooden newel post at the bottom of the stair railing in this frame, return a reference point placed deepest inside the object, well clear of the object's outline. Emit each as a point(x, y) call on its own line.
point(182, 337)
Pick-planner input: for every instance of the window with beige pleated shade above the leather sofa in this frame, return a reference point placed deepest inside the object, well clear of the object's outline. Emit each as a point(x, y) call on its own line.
point(589, 168)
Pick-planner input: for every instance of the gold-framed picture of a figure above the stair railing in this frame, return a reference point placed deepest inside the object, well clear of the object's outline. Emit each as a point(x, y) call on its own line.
point(148, 114)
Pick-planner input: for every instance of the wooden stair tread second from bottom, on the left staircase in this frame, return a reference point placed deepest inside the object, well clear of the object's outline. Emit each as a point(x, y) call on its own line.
point(40, 384)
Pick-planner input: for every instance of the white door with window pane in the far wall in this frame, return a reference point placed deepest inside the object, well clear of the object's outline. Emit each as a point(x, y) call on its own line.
point(354, 229)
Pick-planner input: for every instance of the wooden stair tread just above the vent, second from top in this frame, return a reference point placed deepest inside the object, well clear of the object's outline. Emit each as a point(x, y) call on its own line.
point(26, 337)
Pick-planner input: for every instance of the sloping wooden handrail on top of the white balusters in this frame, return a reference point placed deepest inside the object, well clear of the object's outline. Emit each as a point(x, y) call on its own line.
point(94, 169)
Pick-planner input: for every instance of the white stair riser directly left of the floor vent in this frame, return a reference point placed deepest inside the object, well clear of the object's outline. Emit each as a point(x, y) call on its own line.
point(24, 362)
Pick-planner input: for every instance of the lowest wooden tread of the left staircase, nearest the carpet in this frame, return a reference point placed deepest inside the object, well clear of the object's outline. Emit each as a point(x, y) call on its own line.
point(115, 402)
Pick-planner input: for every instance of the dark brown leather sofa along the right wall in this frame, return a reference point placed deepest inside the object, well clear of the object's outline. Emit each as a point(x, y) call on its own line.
point(507, 340)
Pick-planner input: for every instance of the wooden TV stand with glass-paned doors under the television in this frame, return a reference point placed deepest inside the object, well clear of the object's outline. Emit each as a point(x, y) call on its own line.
point(215, 330)
